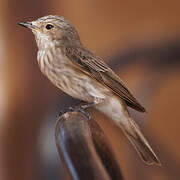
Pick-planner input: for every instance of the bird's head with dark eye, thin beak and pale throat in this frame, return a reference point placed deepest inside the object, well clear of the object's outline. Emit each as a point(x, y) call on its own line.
point(53, 30)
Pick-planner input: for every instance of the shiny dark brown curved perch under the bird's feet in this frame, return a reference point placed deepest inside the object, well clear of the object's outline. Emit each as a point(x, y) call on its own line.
point(84, 150)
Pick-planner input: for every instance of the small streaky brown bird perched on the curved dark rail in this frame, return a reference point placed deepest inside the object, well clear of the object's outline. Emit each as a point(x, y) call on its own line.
point(78, 72)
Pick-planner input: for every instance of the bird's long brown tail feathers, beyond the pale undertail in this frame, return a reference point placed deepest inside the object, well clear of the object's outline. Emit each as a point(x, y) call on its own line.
point(140, 143)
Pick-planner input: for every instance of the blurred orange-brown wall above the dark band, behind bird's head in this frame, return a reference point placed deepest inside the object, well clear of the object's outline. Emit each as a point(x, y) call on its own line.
point(119, 24)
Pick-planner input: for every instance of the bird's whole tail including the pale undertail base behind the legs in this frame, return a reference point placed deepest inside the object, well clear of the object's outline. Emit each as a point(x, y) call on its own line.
point(117, 112)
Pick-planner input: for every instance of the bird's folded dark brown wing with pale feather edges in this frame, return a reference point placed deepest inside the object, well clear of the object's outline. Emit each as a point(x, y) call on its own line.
point(100, 71)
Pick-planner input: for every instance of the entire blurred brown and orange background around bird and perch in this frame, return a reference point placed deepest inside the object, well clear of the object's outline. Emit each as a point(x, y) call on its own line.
point(139, 39)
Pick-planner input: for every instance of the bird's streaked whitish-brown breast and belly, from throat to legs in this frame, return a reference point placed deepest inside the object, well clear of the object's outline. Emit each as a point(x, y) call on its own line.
point(70, 79)
